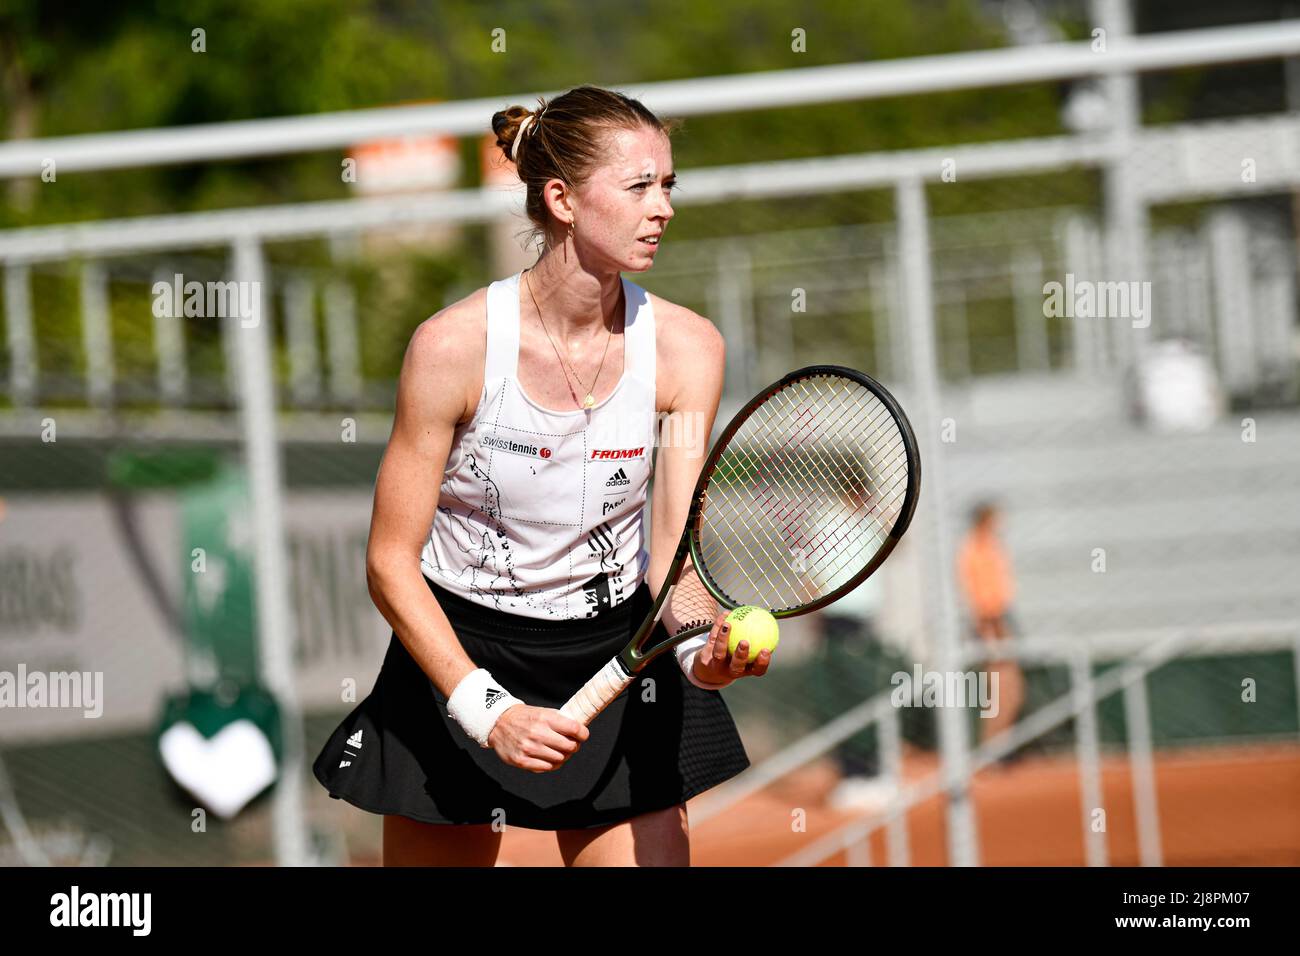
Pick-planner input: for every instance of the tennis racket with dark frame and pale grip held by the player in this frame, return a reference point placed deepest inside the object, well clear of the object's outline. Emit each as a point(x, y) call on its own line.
point(804, 495)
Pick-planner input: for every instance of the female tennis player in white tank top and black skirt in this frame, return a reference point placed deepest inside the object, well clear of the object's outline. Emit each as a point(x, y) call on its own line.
point(508, 547)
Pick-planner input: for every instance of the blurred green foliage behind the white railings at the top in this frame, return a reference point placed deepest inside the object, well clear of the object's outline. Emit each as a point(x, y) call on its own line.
point(80, 68)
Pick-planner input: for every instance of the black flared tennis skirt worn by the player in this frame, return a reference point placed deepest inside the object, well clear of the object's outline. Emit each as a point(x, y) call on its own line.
point(655, 747)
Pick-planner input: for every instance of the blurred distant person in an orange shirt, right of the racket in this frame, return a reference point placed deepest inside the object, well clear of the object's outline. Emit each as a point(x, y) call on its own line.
point(989, 585)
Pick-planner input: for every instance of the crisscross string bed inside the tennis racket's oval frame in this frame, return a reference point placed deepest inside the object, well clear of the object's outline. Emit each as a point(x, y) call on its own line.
point(805, 496)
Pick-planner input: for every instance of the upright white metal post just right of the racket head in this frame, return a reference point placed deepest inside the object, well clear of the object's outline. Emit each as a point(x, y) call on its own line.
point(934, 516)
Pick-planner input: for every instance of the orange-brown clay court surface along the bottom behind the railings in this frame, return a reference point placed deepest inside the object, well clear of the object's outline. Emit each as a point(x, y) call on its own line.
point(1219, 807)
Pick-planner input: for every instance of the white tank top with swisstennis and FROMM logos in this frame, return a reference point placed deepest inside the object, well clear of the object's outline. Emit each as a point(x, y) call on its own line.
point(540, 513)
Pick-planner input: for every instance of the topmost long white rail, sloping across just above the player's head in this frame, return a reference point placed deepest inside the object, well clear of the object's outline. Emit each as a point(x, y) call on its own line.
point(766, 90)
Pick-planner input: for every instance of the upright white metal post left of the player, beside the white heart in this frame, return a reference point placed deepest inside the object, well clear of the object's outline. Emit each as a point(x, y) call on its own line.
point(275, 609)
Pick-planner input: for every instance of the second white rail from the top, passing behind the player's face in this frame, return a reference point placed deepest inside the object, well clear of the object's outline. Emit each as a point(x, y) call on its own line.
point(1263, 139)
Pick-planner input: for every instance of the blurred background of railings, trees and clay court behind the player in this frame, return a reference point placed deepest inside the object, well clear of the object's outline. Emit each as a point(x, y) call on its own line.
point(1063, 232)
